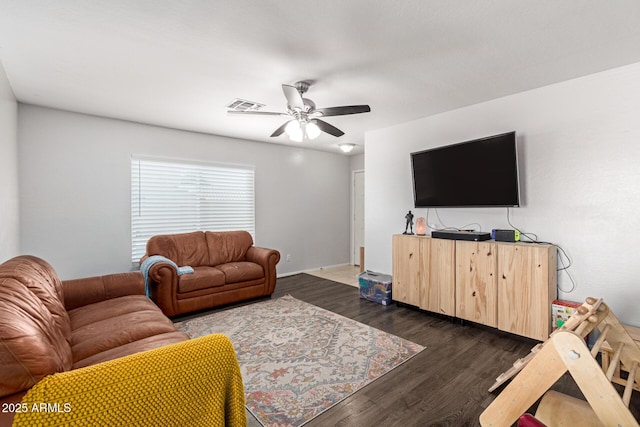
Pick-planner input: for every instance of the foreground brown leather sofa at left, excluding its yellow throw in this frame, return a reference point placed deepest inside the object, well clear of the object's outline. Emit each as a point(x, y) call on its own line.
point(48, 326)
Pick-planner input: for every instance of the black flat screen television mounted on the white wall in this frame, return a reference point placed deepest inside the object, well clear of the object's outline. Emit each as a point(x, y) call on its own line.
point(478, 173)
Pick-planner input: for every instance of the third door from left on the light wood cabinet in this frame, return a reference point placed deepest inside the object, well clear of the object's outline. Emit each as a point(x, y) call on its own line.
point(476, 285)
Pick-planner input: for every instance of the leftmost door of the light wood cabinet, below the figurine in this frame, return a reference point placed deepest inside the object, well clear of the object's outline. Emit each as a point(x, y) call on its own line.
point(406, 269)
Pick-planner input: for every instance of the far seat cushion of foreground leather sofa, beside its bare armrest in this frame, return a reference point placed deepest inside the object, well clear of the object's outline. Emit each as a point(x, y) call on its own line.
point(115, 322)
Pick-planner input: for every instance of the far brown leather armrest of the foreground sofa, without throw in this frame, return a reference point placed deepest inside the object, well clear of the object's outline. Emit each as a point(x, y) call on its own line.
point(89, 290)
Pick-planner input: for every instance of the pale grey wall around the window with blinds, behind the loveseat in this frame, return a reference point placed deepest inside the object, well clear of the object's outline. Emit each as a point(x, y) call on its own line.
point(75, 191)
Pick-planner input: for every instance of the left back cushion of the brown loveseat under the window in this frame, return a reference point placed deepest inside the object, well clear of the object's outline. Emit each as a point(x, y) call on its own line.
point(183, 249)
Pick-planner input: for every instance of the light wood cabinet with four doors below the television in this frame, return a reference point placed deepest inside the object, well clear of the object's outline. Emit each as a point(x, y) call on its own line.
point(506, 285)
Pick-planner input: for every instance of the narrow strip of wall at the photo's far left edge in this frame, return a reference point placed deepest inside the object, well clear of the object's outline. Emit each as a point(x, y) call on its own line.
point(9, 205)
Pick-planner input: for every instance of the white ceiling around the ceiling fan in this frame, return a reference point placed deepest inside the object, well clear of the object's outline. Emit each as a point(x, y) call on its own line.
point(178, 63)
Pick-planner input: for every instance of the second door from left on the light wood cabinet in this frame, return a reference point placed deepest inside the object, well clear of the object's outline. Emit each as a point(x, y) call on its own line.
point(439, 291)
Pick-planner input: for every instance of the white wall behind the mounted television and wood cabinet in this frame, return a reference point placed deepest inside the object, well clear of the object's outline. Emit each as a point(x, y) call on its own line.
point(579, 149)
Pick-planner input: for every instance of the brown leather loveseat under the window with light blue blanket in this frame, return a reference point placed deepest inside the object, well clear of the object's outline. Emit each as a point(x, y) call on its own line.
point(227, 268)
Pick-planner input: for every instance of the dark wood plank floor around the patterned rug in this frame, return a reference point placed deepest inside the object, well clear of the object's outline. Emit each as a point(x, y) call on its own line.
point(444, 385)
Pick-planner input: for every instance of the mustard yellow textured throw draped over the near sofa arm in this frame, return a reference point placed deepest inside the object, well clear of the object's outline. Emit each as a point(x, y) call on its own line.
point(191, 383)
